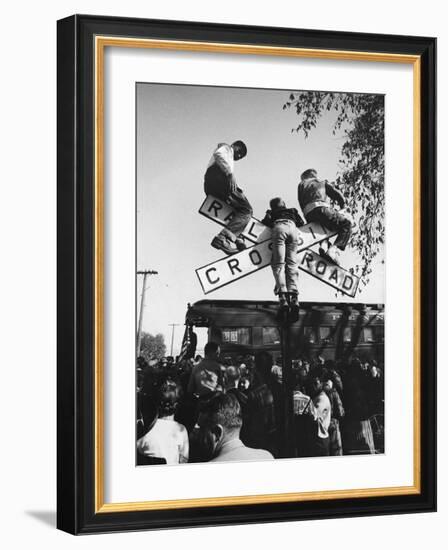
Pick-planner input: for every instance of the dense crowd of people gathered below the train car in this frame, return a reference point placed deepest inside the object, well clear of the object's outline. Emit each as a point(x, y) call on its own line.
point(217, 408)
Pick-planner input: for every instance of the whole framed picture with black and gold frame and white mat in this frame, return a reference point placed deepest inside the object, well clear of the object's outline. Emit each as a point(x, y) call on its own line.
point(246, 274)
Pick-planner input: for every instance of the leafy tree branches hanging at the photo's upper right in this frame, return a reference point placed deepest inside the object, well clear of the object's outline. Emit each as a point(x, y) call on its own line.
point(360, 120)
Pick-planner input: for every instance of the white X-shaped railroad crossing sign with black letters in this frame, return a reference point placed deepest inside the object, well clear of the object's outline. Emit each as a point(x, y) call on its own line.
point(257, 256)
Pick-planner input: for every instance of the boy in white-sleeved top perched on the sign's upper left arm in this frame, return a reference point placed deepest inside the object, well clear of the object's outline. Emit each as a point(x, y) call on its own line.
point(219, 181)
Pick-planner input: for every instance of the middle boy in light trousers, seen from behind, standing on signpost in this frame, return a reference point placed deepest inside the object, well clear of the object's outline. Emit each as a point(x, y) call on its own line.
point(284, 223)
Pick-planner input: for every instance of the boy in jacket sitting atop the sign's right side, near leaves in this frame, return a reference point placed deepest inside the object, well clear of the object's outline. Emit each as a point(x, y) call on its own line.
point(314, 195)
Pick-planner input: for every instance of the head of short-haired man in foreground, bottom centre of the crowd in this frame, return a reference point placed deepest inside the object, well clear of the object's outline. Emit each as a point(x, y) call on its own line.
point(220, 420)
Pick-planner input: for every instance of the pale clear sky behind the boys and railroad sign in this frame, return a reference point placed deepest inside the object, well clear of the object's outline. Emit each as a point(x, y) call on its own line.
point(178, 127)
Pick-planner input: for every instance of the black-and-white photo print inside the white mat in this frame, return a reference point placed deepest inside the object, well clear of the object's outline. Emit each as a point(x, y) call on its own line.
point(260, 276)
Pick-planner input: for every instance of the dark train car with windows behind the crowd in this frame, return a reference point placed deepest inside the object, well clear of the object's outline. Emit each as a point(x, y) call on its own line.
point(338, 331)
